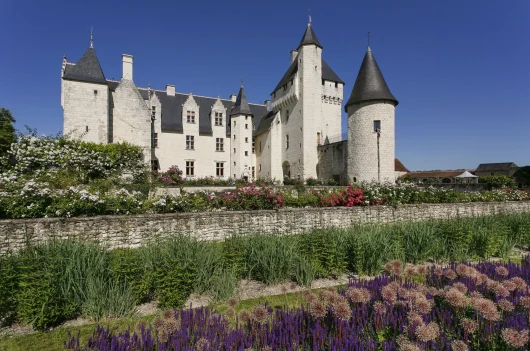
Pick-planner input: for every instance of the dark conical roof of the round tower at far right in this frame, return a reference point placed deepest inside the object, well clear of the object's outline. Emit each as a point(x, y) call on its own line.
point(370, 84)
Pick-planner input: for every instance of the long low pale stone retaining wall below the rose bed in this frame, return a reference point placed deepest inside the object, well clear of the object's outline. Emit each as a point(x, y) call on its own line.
point(133, 231)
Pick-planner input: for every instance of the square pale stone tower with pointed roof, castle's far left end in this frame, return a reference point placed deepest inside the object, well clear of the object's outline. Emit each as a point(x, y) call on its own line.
point(85, 98)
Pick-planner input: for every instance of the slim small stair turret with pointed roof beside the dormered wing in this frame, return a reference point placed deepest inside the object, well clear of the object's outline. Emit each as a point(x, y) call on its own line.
point(241, 134)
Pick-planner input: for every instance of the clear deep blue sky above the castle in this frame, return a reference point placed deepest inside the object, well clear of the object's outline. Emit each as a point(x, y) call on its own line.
point(460, 69)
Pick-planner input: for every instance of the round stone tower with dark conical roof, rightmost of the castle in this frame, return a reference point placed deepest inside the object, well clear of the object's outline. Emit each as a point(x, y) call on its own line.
point(371, 127)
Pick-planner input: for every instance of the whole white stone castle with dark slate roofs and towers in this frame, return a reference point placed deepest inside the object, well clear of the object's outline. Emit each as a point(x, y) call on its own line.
point(296, 134)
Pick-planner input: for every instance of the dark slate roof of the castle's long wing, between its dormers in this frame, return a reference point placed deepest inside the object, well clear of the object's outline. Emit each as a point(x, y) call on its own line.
point(171, 113)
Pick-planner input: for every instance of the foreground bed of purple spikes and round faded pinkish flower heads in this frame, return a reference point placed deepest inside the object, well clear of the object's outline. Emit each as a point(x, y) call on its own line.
point(484, 306)
